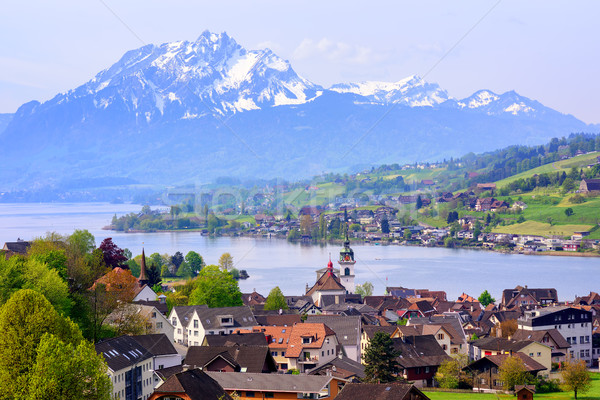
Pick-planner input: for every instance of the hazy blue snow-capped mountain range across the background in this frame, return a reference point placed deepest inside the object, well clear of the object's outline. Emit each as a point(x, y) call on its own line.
point(191, 111)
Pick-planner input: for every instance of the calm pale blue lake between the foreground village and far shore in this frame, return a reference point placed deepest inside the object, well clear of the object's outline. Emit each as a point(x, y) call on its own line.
point(291, 266)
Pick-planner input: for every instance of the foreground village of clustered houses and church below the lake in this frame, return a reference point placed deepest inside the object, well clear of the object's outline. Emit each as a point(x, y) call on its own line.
point(313, 346)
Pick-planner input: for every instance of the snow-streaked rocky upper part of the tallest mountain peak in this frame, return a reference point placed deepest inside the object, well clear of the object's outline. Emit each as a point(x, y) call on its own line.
point(187, 79)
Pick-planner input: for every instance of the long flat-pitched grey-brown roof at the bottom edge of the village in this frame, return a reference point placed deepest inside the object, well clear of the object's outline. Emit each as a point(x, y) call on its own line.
point(270, 382)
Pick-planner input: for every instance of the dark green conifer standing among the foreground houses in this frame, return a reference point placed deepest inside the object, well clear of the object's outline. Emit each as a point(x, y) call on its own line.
point(380, 359)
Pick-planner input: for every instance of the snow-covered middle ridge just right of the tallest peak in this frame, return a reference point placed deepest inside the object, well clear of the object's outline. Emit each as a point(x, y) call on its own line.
point(412, 91)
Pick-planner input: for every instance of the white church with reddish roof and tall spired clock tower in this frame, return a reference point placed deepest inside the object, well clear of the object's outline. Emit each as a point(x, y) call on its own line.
point(332, 281)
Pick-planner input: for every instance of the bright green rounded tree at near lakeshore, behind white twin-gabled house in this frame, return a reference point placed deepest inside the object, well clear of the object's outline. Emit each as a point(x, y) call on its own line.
point(215, 288)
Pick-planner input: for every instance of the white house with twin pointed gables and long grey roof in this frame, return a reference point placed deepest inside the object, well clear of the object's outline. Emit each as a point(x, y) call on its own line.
point(192, 323)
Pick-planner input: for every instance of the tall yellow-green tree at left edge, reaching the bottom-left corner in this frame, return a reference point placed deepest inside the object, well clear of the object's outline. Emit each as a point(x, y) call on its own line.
point(25, 318)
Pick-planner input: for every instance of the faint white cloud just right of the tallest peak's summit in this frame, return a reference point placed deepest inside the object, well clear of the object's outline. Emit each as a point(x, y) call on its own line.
point(339, 52)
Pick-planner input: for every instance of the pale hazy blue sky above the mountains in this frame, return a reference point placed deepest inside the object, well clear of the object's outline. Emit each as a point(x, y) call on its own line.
point(547, 51)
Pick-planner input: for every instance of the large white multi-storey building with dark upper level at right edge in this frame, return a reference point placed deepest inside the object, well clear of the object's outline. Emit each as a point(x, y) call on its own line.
point(573, 324)
